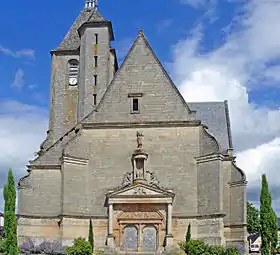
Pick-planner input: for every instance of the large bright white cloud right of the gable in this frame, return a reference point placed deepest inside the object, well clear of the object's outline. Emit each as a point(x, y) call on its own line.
point(228, 73)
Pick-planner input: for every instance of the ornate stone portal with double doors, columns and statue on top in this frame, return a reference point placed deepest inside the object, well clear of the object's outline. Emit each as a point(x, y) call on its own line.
point(140, 211)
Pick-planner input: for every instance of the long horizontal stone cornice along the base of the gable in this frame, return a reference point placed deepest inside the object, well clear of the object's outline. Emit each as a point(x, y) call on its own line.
point(144, 124)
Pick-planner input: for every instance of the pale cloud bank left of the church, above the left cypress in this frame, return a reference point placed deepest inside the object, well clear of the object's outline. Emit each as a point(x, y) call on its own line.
point(23, 128)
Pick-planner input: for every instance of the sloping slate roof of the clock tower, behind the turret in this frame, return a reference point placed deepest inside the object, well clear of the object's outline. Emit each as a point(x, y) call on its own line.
point(72, 39)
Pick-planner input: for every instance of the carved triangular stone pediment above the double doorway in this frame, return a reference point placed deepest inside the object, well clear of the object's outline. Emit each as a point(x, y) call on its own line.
point(140, 190)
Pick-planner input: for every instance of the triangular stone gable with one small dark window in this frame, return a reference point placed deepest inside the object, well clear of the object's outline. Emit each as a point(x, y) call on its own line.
point(143, 77)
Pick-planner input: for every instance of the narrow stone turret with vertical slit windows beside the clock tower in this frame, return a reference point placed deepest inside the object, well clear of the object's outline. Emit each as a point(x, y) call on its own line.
point(95, 59)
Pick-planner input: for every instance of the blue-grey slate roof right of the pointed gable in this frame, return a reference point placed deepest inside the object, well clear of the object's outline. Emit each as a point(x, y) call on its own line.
point(215, 116)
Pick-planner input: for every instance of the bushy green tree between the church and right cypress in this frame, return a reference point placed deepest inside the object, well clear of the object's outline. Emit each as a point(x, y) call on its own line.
point(253, 219)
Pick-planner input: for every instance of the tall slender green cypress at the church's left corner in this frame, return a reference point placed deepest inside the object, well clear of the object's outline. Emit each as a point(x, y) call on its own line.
point(10, 220)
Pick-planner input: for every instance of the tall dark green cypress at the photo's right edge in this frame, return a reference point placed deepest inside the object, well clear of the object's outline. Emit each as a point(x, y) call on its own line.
point(268, 220)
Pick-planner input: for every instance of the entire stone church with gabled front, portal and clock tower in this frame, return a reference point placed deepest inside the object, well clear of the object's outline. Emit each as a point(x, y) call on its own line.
point(125, 150)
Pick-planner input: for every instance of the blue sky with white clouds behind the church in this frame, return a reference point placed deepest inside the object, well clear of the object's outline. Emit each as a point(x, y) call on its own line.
point(214, 51)
